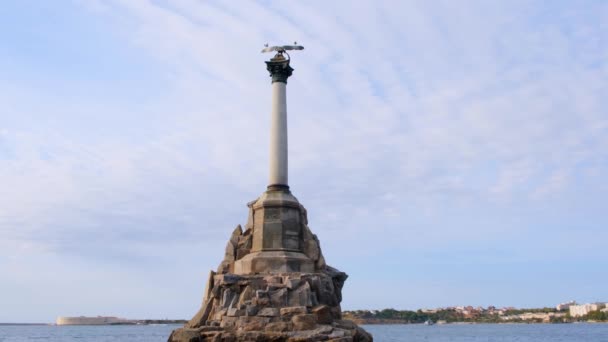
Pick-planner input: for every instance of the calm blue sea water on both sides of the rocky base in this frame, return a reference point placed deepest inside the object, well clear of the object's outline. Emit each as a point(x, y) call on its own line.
point(408, 333)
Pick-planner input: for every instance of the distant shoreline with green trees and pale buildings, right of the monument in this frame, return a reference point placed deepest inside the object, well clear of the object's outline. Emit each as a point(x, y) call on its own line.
point(563, 313)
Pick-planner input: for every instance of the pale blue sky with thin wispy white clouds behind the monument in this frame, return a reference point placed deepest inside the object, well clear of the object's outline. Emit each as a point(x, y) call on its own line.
point(448, 153)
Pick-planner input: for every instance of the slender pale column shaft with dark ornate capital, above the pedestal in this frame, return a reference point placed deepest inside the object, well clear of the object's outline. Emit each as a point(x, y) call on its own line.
point(279, 70)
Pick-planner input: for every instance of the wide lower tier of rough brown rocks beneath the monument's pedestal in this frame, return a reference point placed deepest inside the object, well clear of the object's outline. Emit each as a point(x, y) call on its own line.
point(272, 307)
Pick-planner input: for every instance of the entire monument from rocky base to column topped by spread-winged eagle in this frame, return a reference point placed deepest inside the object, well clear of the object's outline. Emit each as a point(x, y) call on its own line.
point(273, 283)
